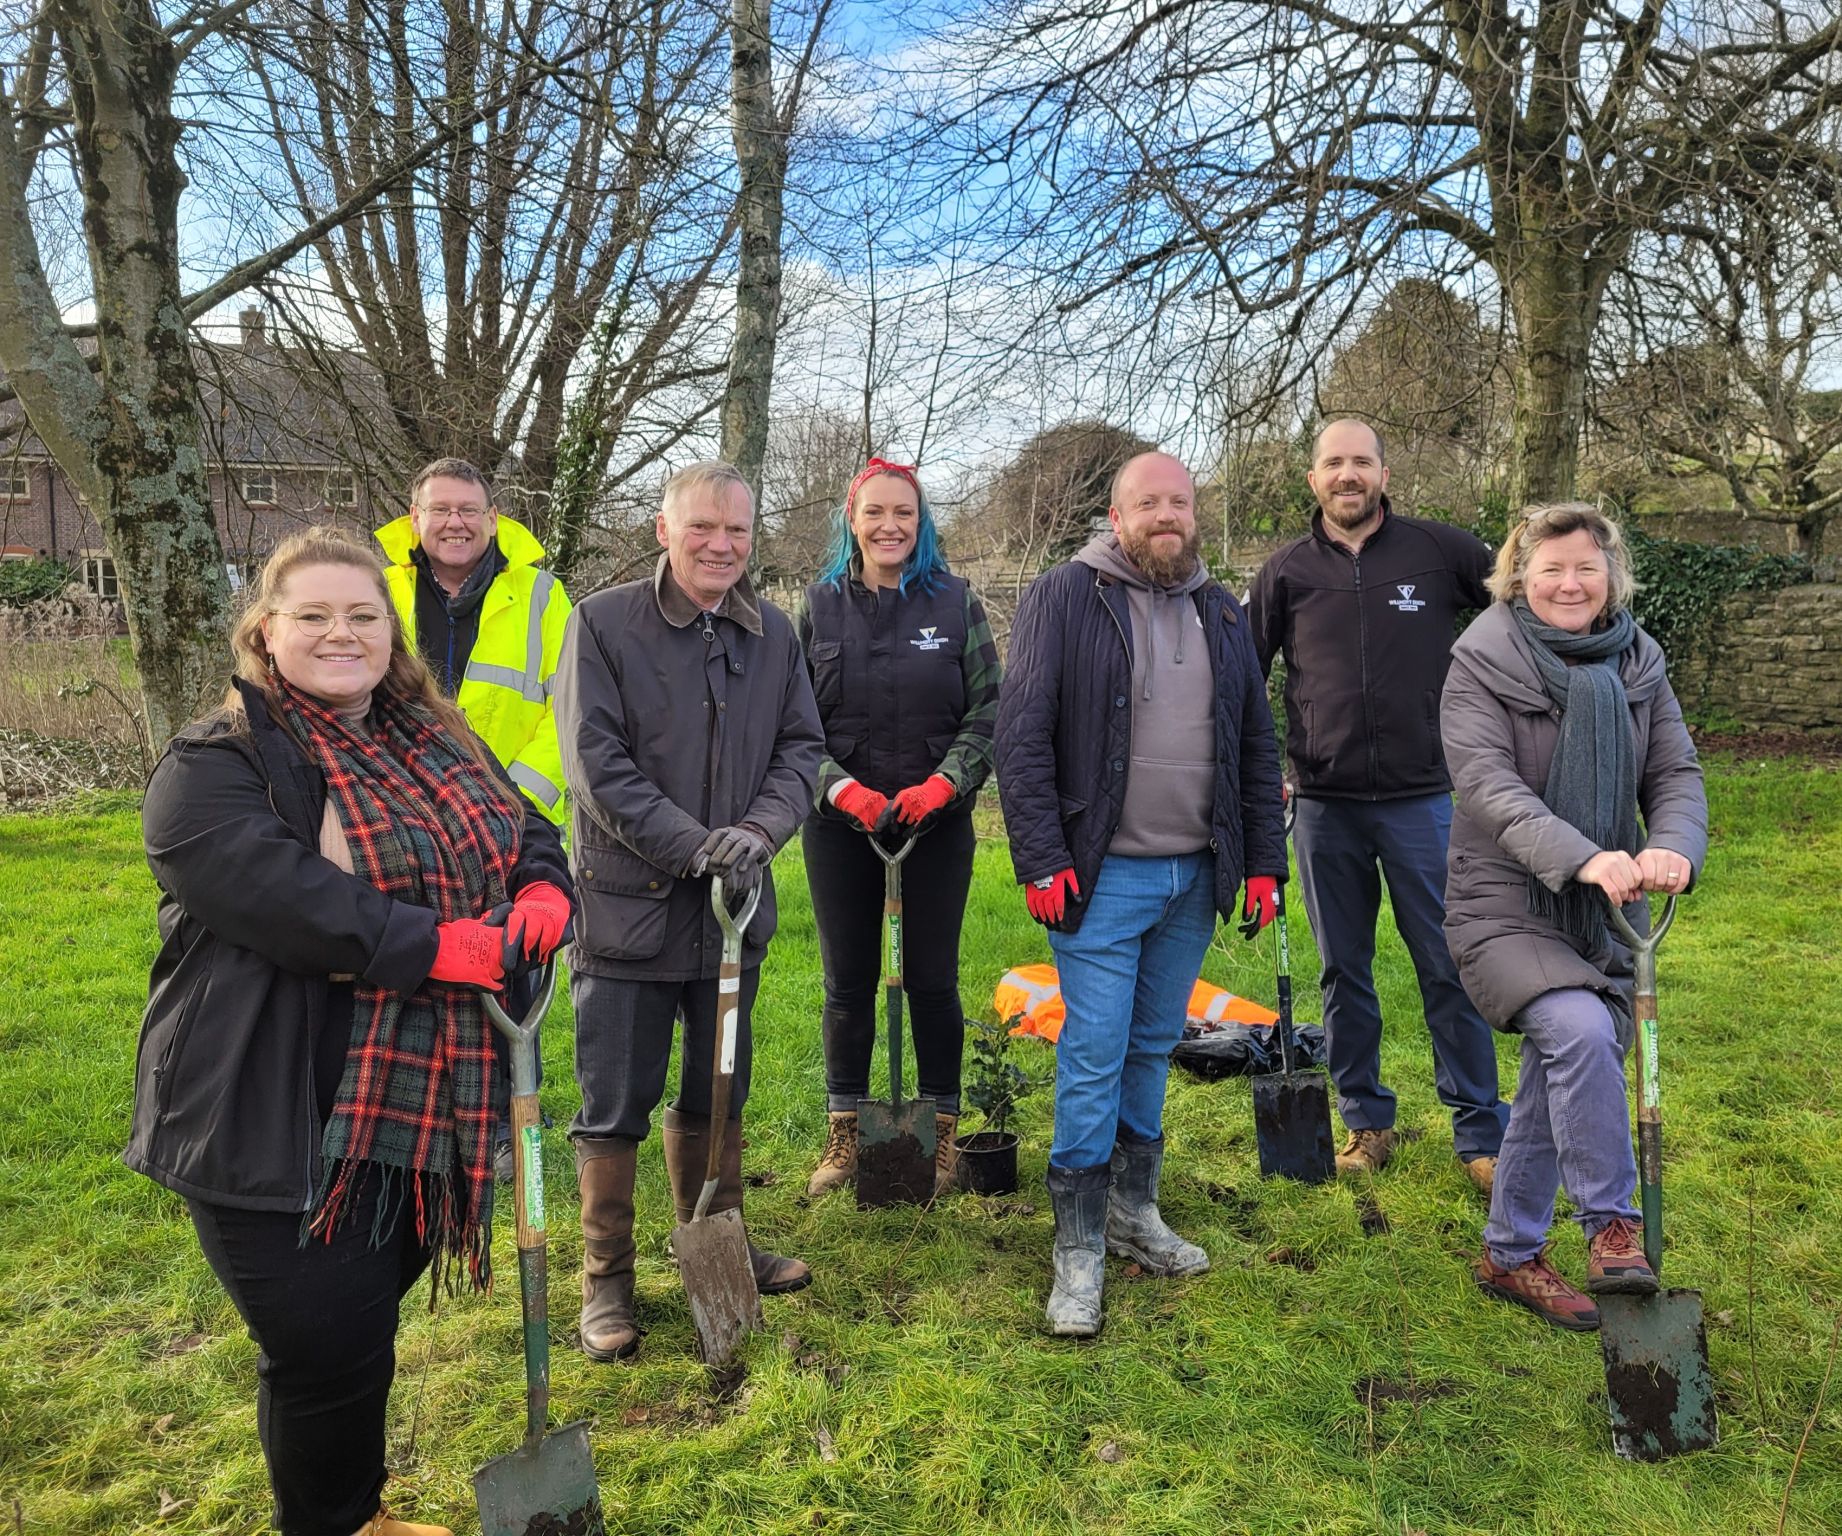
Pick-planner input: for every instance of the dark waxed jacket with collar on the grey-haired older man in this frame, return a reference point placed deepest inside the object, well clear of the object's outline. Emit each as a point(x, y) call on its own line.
point(671, 730)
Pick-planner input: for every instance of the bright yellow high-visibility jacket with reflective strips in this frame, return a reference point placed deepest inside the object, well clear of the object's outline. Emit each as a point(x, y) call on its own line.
point(506, 692)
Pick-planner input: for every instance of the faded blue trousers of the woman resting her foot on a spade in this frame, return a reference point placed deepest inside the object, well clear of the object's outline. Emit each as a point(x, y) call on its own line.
point(1570, 1126)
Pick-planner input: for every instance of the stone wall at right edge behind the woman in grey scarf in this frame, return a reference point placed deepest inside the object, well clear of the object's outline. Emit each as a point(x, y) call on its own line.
point(1778, 662)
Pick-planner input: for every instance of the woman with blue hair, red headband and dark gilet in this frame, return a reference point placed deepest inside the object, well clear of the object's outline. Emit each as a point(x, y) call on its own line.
point(907, 682)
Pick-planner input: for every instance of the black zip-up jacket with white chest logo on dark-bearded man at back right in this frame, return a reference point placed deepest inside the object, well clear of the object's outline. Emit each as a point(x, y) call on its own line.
point(1368, 640)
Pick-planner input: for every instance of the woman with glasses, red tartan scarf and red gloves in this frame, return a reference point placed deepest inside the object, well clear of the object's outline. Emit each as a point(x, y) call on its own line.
point(342, 868)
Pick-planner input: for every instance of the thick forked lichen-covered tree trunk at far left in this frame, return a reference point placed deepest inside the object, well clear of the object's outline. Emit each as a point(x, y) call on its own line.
point(130, 439)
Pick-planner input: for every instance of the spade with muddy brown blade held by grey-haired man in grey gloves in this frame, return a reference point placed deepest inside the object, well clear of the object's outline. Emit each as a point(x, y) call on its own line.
point(714, 1250)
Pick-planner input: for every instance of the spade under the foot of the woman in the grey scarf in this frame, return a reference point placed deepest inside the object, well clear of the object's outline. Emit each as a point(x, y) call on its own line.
point(1659, 1386)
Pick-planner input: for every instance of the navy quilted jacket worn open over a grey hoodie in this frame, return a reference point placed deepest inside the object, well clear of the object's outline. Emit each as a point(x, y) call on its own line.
point(1066, 732)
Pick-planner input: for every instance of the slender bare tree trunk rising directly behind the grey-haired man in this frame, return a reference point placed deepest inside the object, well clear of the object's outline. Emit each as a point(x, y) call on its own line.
point(762, 161)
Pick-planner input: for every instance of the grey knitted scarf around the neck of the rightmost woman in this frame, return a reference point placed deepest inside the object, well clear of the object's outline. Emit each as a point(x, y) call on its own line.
point(1592, 782)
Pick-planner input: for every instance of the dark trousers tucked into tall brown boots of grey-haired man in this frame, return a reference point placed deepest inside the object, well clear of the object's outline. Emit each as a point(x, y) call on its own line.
point(625, 1043)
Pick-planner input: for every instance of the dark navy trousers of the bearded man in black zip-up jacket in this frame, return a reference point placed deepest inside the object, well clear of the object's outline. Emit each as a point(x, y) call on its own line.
point(1342, 843)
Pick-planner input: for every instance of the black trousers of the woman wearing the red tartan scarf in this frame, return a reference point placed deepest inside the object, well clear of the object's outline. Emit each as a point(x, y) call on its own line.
point(325, 1327)
